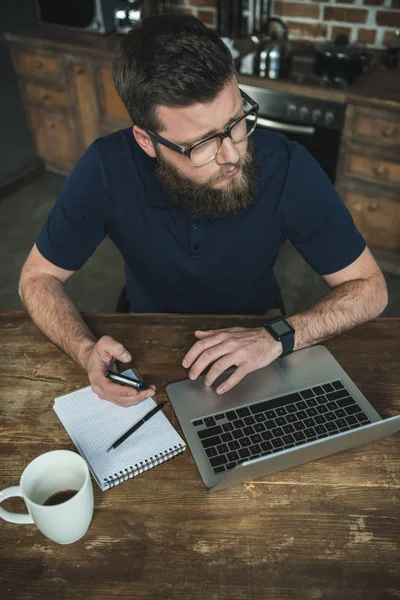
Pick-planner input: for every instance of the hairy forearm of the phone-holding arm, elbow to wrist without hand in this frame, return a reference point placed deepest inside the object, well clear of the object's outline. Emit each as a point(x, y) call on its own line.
point(53, 311)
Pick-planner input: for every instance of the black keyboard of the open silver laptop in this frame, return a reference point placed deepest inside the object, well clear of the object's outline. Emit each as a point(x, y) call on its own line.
point(249, 432)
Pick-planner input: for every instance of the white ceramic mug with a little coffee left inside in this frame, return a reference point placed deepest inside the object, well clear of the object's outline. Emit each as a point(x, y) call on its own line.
point(46, 476)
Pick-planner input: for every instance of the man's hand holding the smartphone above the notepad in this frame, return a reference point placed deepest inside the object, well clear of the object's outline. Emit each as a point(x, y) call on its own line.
point(100, 358)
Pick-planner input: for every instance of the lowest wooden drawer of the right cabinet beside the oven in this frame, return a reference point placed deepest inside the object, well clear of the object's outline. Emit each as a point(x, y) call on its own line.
point(378, 219)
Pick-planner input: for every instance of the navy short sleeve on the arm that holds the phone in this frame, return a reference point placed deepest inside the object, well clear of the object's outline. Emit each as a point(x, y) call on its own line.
point(76, 223)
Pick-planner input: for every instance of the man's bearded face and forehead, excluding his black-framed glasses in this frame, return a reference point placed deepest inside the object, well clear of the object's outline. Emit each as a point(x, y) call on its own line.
point(224, 185)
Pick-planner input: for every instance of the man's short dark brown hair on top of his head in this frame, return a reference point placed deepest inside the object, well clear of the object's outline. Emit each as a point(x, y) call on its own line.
point(170, 59)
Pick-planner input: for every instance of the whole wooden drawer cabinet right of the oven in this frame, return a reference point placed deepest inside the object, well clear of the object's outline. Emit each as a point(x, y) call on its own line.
point(368, 178)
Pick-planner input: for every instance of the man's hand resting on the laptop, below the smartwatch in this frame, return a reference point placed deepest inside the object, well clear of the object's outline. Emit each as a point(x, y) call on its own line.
point(246, 349)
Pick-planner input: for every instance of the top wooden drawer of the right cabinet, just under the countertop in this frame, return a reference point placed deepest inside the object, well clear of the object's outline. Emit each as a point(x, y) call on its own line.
point(378, 130)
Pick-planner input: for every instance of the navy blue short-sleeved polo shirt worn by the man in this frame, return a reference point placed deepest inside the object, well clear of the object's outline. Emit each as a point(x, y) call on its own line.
point(178, 264)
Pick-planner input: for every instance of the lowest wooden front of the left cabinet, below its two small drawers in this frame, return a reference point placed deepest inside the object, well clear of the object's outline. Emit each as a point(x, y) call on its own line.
point(54, 138)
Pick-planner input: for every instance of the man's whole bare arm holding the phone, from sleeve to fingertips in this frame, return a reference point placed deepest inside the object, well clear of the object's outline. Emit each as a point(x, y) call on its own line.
point(42, 291)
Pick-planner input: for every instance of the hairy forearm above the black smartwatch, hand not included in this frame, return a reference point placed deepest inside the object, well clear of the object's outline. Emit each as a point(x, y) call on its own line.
point(348, 305)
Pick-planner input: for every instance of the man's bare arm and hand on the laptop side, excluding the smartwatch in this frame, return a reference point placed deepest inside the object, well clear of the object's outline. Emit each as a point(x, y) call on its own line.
point(358, 294)
